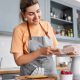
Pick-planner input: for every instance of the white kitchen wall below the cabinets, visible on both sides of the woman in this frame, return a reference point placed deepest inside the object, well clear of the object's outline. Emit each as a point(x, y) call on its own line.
point(7, 57)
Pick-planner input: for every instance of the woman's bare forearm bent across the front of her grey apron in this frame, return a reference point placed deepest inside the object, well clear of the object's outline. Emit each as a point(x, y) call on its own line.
point(27, 58)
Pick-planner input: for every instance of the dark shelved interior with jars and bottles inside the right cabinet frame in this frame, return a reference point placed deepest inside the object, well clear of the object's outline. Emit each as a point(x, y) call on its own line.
point(62, 18)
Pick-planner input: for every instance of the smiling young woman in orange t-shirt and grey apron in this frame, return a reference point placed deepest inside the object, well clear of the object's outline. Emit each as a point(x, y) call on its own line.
point(33, 42)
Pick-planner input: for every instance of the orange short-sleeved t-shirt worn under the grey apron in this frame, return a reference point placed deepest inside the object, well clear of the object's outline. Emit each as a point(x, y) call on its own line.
point(20, 36)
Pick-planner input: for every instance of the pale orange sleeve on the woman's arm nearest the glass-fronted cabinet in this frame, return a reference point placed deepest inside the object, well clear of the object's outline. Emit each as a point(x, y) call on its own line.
point(52, 35)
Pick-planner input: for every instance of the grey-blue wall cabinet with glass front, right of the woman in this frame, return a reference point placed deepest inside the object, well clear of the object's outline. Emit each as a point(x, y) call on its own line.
point(65, 19)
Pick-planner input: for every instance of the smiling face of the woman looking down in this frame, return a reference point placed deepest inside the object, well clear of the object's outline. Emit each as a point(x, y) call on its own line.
point(33, 14)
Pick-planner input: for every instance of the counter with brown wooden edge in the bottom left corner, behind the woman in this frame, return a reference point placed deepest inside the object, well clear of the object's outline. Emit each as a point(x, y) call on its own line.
point(9, 73)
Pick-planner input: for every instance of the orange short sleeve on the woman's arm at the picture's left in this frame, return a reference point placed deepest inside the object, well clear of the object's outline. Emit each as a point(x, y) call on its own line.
point(17, 44)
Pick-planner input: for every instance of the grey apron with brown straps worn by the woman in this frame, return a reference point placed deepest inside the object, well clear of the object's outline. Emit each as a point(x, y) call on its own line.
point(43, 65)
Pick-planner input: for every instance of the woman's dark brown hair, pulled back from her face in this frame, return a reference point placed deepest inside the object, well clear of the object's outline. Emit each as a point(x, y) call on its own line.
point(25, 4)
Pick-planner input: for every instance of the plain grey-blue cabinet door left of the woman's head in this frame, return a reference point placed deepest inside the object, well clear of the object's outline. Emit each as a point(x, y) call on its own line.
point(9, 14)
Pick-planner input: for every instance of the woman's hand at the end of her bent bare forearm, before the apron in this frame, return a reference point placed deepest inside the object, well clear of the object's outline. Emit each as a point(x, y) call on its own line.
point(49, 51)
